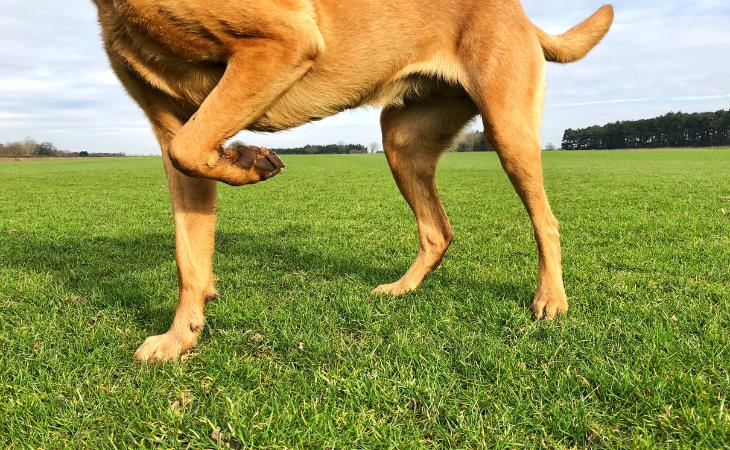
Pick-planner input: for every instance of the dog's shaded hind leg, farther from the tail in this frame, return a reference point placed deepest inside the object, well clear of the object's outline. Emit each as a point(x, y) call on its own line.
point(414, 137)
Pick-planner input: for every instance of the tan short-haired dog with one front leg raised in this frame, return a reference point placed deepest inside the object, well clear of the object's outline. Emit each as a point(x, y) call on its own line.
point(203, 70)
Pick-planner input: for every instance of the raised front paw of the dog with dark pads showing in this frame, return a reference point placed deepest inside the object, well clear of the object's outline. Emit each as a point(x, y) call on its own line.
point(251, 164)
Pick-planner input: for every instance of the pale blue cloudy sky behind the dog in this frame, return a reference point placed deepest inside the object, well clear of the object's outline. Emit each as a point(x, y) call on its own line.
point(661, 56)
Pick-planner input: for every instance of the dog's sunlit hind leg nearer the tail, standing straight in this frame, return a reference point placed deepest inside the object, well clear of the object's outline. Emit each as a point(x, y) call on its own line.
point(510, 97)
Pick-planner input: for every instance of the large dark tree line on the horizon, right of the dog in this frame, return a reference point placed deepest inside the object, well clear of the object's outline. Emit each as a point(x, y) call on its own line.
point(709, 129)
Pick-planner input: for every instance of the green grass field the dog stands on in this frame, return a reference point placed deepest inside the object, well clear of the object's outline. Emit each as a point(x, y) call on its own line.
point(297, 354)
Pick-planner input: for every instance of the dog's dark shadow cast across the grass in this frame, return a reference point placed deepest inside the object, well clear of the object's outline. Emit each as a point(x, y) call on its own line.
point(137, 272)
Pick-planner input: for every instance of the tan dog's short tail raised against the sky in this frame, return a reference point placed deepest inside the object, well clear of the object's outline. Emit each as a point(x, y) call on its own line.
point(579, 40)
